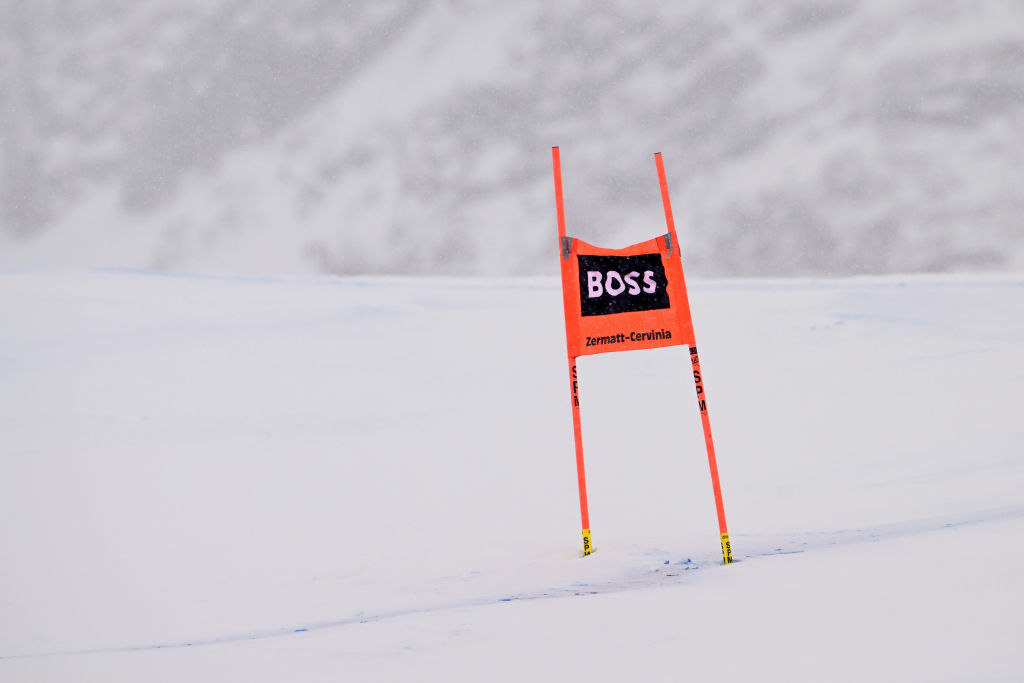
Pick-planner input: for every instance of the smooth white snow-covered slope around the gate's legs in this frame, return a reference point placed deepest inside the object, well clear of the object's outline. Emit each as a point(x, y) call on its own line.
point(322, 480)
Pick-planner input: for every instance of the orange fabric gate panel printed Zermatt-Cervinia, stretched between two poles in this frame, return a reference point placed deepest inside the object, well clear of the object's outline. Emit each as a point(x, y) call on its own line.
point(605, 283)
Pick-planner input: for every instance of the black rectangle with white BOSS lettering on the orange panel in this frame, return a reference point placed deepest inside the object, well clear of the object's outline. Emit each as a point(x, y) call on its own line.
point(622, 284)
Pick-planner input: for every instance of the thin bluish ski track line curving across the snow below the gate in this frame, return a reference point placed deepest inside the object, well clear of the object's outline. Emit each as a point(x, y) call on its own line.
point(755, 546)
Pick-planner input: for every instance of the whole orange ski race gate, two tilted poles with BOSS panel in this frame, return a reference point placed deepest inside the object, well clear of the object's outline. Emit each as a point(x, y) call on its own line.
point(622, 301)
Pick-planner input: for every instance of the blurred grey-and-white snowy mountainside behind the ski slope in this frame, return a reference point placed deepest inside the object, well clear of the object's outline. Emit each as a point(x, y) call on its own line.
point(318, 137)
